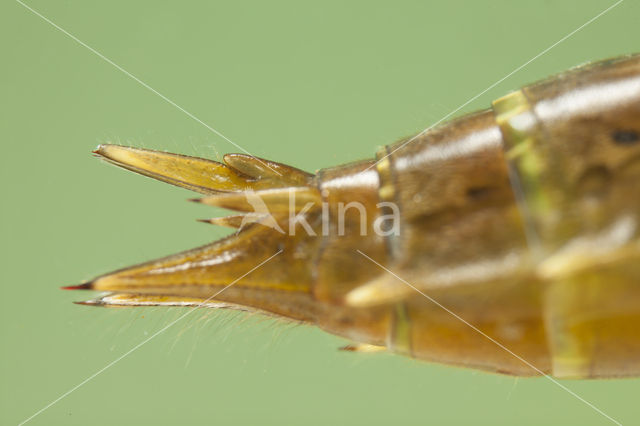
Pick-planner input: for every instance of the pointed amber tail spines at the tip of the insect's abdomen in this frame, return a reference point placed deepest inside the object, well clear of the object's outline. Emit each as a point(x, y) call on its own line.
point(262, 267)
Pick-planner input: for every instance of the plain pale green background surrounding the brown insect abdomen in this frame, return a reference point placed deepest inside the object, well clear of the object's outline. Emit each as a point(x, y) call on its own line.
point(312, 84)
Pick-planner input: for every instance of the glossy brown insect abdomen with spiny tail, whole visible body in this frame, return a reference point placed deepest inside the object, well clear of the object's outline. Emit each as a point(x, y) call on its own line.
point(520, 222)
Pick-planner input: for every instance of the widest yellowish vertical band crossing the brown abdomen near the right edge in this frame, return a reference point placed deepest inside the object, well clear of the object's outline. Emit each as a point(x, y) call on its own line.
point(571, 349)
